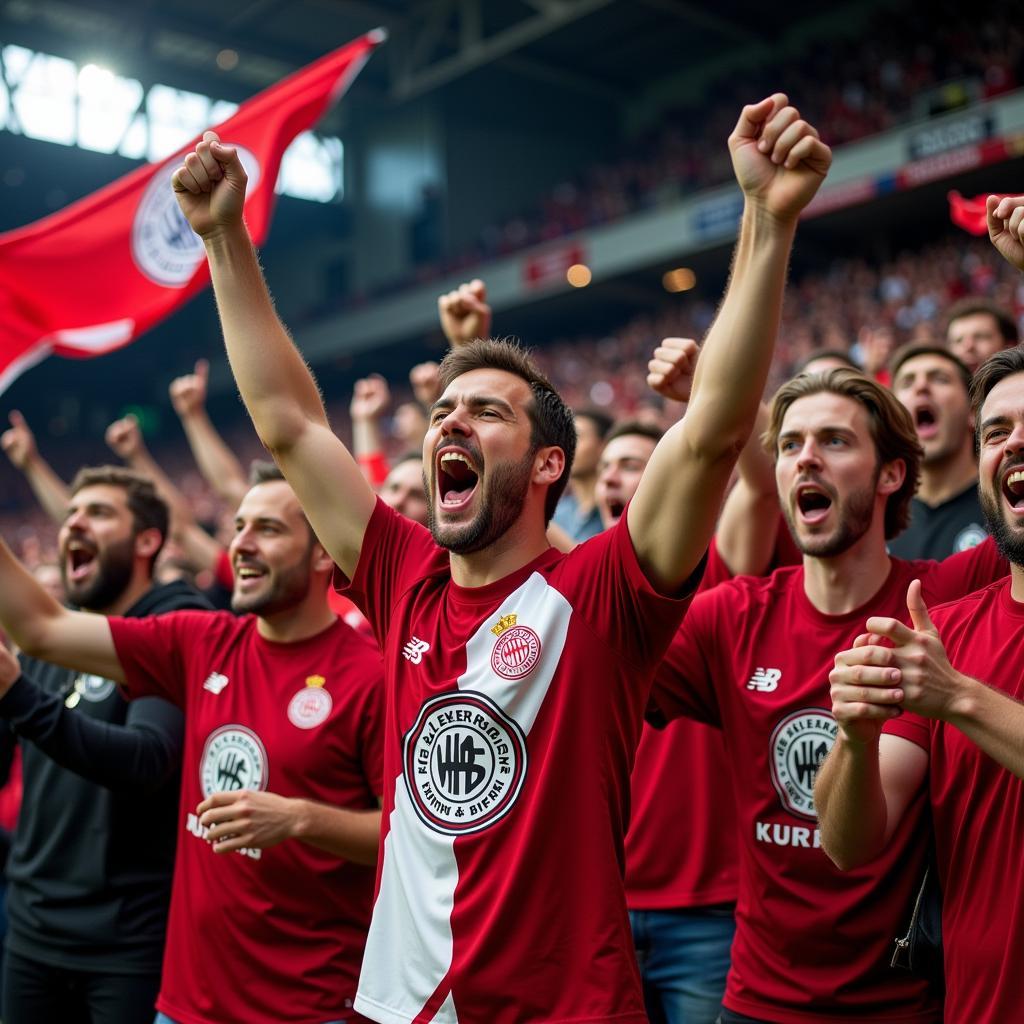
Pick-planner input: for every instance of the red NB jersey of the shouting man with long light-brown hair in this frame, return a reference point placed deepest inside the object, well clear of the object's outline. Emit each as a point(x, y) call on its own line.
point(754, 657)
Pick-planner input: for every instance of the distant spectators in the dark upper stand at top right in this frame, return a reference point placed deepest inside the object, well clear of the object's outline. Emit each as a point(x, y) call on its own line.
point(912, 62)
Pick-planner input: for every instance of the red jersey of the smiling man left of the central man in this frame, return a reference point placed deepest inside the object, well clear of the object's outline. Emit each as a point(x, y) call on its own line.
point(263, 936)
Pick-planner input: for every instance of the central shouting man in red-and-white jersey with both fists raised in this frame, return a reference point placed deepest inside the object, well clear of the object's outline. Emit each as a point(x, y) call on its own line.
point(517, 676)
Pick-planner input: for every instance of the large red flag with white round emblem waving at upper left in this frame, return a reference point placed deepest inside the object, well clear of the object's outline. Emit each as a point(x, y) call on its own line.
point(95, 276)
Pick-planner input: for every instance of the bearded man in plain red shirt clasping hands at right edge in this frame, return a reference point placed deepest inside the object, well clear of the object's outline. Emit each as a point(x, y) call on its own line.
point(932, 713)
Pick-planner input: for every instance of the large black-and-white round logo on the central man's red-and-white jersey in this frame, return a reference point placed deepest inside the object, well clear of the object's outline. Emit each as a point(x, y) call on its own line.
point(464, 762)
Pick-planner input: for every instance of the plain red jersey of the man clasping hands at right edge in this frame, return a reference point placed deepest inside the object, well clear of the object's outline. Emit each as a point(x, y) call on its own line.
point(978, 817)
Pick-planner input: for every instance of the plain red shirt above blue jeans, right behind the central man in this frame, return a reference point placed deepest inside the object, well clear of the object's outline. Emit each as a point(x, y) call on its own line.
point(680, 786)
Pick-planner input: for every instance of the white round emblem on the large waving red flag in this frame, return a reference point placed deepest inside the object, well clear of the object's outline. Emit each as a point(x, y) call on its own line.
point(163, 245)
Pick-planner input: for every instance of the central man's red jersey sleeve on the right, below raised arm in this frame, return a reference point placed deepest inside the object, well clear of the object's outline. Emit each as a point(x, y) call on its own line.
point(604, 580)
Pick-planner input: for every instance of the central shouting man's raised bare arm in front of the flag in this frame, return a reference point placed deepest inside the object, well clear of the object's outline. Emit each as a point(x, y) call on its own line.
point(277, 387)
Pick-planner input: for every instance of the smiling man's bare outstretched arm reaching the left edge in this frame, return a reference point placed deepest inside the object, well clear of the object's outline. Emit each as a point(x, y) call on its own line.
point(48, 630)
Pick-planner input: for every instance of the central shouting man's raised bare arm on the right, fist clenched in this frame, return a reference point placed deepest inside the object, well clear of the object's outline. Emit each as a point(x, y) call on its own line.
point(780, 163)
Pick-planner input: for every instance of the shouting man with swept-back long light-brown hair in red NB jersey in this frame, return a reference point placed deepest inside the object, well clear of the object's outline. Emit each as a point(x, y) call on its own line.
point(753, 657)
